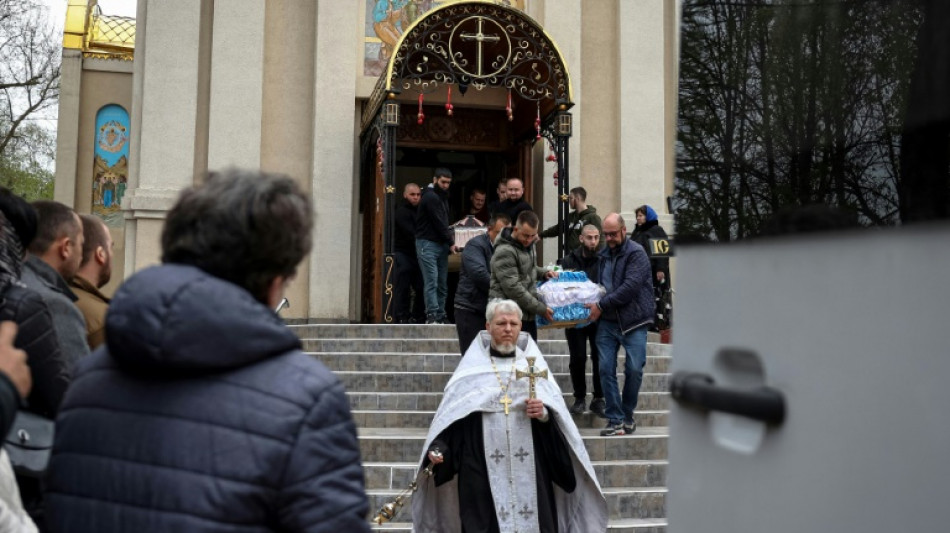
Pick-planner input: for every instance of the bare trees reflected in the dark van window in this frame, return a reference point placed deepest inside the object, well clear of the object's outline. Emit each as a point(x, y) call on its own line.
point(787, 103)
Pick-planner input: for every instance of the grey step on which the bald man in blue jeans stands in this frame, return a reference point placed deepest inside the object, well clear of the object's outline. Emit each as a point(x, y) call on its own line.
point(403, 445)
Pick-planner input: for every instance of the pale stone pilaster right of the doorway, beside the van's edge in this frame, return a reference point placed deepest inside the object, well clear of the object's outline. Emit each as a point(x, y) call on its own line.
point(644, 126)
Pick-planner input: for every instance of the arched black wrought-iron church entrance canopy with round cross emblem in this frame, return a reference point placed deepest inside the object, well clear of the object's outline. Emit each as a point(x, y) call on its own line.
point(467, 78)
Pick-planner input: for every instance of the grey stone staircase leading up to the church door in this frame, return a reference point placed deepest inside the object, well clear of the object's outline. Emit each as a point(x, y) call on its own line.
point(394, 375)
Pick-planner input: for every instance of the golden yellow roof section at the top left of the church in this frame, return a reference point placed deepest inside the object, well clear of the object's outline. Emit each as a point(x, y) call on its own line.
point(96, 34)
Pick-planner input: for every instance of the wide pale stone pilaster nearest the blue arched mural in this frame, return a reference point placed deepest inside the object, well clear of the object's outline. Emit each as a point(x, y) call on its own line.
point(165, 119)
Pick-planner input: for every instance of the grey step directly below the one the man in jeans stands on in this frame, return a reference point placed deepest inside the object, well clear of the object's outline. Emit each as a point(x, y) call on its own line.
point(397, 476)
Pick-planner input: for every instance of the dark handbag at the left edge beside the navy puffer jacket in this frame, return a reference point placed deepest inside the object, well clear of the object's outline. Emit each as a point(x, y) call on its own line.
point(30, 443)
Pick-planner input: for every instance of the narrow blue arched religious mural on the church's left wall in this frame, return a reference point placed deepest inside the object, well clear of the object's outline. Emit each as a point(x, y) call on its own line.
point(111, 167)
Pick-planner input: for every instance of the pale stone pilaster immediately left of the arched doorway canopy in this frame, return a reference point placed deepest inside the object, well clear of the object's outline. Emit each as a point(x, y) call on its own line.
point(334, 263)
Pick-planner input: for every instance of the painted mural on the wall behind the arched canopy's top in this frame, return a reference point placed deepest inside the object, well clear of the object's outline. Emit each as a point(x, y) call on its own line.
point(387, 19)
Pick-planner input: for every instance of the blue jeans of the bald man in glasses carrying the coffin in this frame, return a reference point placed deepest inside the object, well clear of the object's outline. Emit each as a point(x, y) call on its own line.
point(609, 340)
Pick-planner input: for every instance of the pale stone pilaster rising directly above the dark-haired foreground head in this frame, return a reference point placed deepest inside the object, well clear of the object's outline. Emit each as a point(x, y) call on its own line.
point(237, 71)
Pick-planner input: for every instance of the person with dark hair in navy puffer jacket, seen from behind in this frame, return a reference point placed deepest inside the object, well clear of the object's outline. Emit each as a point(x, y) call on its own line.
point(201, 413)
